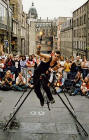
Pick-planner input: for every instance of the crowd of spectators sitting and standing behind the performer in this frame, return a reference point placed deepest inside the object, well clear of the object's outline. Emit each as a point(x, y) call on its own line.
point(16, 73)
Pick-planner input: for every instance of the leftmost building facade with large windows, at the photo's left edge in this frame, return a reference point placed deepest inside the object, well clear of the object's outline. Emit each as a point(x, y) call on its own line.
point(5, 25)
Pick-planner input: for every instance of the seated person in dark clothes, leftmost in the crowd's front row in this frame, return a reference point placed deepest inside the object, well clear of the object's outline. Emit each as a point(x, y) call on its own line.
point(6, 83)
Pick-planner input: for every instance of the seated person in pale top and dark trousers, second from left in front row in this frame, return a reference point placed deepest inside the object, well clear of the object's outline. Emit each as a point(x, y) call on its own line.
point(20, 83)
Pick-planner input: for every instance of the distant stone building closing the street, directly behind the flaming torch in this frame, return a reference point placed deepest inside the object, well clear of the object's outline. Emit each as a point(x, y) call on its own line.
point(46, 30)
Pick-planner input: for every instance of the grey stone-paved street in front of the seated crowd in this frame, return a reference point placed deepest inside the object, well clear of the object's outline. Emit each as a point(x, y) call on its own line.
point(37, 123)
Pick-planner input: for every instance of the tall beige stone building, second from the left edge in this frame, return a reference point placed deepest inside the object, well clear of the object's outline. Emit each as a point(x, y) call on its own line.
point(19, 39)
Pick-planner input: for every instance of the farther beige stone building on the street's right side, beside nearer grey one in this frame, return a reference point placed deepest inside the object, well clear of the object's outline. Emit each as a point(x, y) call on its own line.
point(66, 38)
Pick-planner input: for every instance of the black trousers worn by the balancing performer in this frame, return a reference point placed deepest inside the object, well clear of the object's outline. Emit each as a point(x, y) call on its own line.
point(37, 87)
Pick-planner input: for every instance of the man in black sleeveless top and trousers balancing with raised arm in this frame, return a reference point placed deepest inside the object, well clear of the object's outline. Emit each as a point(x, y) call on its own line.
point(41, 69)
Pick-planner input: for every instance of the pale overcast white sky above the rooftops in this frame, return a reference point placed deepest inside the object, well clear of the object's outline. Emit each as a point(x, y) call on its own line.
point(53, 8)
